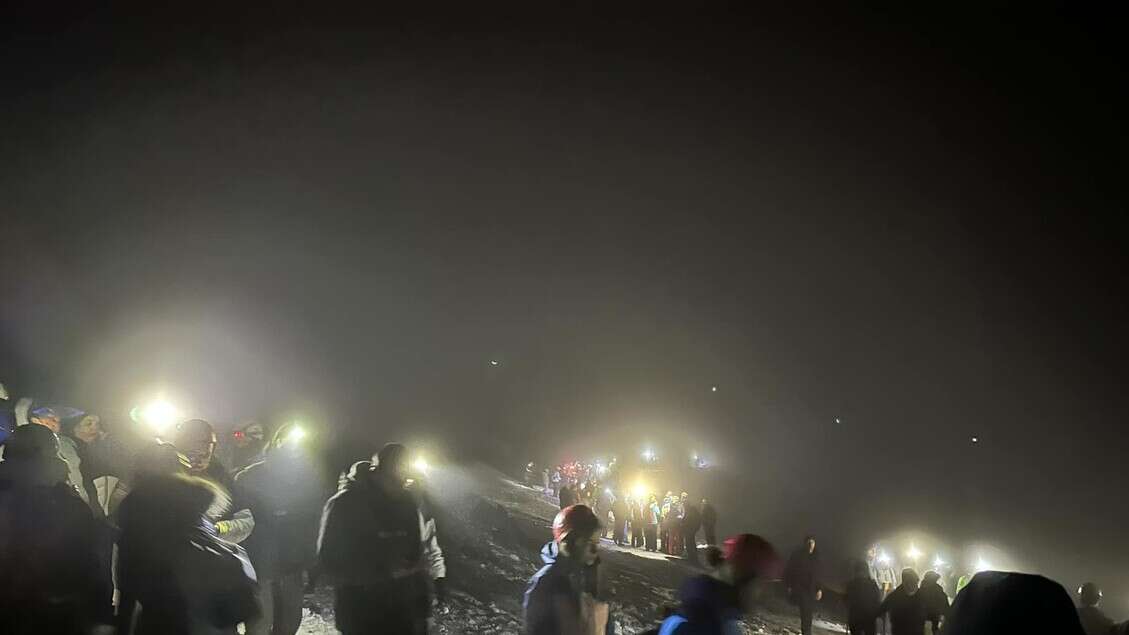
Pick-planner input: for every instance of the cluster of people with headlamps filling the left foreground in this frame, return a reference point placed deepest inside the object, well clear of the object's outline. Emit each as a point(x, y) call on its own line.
point(116, 528)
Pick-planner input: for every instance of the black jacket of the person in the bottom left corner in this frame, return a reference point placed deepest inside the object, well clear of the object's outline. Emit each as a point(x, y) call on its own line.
point(48, 562)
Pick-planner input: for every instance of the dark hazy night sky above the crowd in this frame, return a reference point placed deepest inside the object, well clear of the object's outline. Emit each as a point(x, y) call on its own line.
point(906, 222)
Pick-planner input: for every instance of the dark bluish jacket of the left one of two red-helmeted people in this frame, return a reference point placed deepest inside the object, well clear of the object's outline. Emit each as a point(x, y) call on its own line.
point(554, 594)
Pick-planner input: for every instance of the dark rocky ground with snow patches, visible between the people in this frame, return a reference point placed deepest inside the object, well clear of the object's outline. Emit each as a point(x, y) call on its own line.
point(493, 530)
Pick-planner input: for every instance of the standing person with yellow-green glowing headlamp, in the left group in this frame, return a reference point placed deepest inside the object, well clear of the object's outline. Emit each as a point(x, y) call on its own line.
point(285, 494)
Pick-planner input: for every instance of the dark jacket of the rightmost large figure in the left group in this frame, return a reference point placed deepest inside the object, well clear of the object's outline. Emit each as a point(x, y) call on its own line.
point(371, 546)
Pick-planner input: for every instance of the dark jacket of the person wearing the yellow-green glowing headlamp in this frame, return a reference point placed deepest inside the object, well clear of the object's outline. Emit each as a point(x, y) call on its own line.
point(285, 495)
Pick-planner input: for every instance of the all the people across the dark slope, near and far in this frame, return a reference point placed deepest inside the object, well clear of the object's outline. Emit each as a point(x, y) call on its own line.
point(186, 534)
